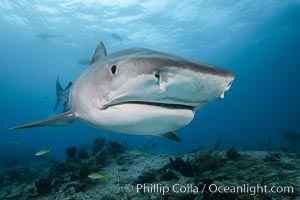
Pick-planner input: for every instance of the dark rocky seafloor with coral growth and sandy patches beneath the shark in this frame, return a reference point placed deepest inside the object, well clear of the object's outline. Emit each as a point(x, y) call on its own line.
point(135, 174)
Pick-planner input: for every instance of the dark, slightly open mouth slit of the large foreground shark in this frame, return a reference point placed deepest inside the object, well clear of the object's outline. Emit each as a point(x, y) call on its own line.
point(164, 105)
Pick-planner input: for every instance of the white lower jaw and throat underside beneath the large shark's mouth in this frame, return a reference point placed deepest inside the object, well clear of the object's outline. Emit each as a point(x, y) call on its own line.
point(138, 119)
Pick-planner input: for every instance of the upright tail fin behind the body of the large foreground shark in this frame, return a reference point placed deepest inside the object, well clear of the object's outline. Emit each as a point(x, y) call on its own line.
point(62, 94)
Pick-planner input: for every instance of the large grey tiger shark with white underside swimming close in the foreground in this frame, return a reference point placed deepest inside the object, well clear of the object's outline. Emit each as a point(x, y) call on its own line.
point(139, 91)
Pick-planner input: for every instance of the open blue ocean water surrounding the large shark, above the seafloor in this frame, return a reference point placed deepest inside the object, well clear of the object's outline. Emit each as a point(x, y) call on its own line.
point(257, 40)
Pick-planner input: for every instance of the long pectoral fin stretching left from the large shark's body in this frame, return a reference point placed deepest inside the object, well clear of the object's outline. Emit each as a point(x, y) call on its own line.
point(64, 119)
